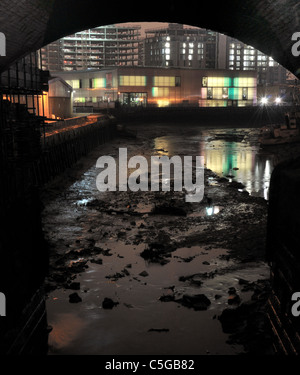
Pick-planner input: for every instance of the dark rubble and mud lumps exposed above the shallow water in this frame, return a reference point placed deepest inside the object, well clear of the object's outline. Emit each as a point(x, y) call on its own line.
point(159, 223)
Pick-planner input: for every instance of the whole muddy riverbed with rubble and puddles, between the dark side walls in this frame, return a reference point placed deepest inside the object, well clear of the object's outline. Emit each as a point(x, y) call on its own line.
point(146, 272)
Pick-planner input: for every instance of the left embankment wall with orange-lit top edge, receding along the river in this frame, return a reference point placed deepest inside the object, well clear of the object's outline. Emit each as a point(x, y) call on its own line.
point(66, 142)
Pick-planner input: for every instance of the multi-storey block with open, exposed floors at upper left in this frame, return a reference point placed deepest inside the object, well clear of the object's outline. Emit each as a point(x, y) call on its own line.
point(94, 49)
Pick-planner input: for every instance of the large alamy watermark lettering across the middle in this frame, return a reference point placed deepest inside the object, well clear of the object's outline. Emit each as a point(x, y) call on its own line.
point(138, 180)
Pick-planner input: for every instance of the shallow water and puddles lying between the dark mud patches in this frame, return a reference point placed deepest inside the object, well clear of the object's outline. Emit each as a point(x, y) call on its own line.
point(140, 323)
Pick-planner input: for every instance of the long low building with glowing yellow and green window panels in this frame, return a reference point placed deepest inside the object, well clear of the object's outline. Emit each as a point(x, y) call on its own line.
point(134, 86)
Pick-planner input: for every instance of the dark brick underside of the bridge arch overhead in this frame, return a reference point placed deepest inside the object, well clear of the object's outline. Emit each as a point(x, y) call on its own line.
point(267, 25)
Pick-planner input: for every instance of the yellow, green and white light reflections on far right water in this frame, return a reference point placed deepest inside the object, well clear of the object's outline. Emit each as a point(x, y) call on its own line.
point(238, 158)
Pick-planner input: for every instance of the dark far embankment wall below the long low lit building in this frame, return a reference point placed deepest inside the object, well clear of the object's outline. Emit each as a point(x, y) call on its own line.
point(221, 116)
